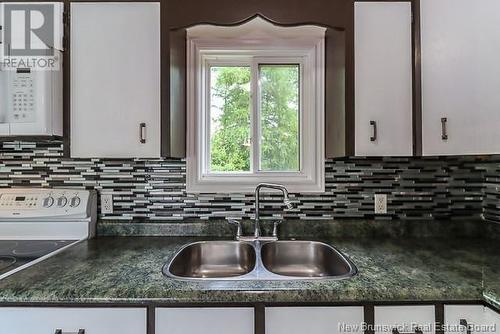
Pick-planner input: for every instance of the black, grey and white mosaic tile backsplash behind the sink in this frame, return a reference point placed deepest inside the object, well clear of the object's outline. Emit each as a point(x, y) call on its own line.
point(417, 188)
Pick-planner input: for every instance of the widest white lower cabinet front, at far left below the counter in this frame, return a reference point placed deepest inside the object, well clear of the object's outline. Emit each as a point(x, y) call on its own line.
point(41, 320)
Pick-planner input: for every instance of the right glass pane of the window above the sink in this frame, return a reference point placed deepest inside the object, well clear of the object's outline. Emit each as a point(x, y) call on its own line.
point(279, 114)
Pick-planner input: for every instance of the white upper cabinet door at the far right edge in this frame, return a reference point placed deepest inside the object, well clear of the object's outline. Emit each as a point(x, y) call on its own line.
point(460, 76)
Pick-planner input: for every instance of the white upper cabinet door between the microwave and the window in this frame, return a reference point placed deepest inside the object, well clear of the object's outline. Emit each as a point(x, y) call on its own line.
point(115, 80)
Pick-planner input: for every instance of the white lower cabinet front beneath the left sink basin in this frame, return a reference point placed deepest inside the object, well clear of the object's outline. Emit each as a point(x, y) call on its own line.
point(205, 320)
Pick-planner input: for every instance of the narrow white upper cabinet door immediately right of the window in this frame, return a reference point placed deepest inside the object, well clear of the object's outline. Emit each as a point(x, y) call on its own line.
point(383, 65)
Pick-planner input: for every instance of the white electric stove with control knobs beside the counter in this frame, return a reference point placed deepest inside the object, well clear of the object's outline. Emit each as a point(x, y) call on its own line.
point(36, 223)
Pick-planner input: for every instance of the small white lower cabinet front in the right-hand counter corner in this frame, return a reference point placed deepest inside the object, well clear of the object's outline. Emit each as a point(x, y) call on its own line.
point(462, 319)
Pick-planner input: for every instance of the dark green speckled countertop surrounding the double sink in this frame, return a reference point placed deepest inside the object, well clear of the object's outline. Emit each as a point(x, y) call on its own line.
point(128, 269)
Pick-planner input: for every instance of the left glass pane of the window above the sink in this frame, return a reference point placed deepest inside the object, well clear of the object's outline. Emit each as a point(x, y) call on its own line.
point(230, 119)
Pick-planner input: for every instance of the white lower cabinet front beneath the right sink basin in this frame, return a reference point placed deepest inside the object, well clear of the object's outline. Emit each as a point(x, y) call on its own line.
point(314, 320)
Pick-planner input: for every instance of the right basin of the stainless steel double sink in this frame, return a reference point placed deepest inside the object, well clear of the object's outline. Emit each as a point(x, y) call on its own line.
point(305, 259)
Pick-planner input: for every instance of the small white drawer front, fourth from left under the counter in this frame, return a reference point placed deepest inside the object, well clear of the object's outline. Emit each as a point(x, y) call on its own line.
point(405, 319)
